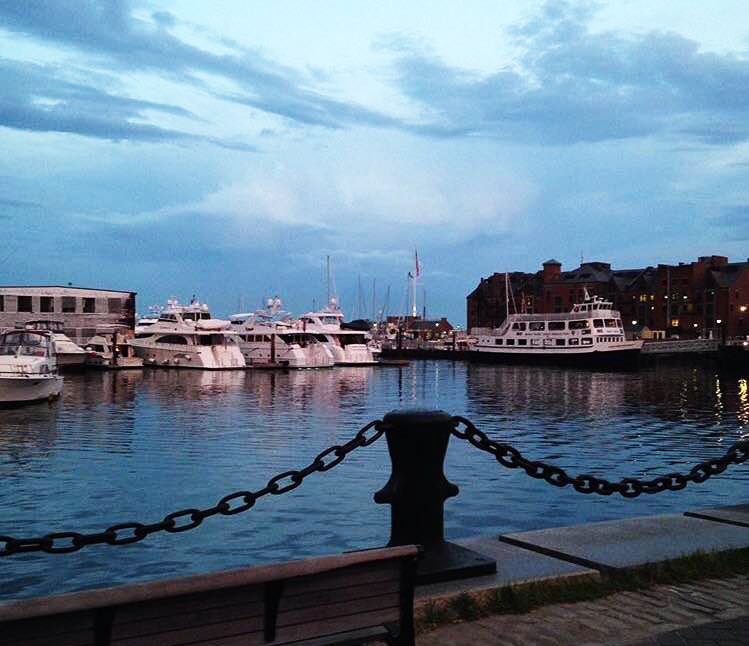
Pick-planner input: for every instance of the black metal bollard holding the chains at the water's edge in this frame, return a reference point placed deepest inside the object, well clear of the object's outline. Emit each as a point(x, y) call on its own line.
point(416, 492)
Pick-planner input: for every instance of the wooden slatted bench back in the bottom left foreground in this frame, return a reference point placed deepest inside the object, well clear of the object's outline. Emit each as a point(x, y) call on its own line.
point(347, 598)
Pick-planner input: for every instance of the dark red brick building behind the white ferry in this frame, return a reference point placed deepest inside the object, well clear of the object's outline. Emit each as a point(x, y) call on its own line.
point(687, 299)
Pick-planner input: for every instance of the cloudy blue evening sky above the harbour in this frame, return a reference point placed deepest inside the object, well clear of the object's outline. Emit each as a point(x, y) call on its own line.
point(226, 149)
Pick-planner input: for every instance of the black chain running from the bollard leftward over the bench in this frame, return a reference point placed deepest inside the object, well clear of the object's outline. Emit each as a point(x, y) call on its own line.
point(185, 519)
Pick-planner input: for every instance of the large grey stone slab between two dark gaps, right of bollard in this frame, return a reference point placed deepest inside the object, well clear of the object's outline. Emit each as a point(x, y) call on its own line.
point(630, 542)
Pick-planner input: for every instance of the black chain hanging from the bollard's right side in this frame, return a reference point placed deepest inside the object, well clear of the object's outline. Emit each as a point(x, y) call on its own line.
point(511, 458)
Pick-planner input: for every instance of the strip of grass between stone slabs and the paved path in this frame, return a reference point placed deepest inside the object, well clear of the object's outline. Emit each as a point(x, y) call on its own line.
point(524, 597)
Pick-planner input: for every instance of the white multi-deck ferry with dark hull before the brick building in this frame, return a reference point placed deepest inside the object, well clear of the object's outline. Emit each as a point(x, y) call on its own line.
point(592, 330)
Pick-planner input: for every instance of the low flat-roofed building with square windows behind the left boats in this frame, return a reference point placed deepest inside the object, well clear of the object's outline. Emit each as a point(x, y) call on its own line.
point(82, 310)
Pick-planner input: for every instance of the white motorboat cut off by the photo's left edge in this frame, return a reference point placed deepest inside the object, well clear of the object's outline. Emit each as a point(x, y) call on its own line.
point(28, 367)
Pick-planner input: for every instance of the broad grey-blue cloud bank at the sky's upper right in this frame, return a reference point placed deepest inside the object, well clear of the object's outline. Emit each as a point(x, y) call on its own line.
point(571, 85)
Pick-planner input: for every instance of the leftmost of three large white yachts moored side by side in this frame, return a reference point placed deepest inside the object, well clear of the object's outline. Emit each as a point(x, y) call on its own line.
point(187, 336)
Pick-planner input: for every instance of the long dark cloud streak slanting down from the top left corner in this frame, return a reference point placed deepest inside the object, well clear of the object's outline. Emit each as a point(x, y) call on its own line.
point(109, 30)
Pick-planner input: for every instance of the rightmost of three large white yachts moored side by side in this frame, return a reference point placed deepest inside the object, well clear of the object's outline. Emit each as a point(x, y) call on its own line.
point(349, 347)
